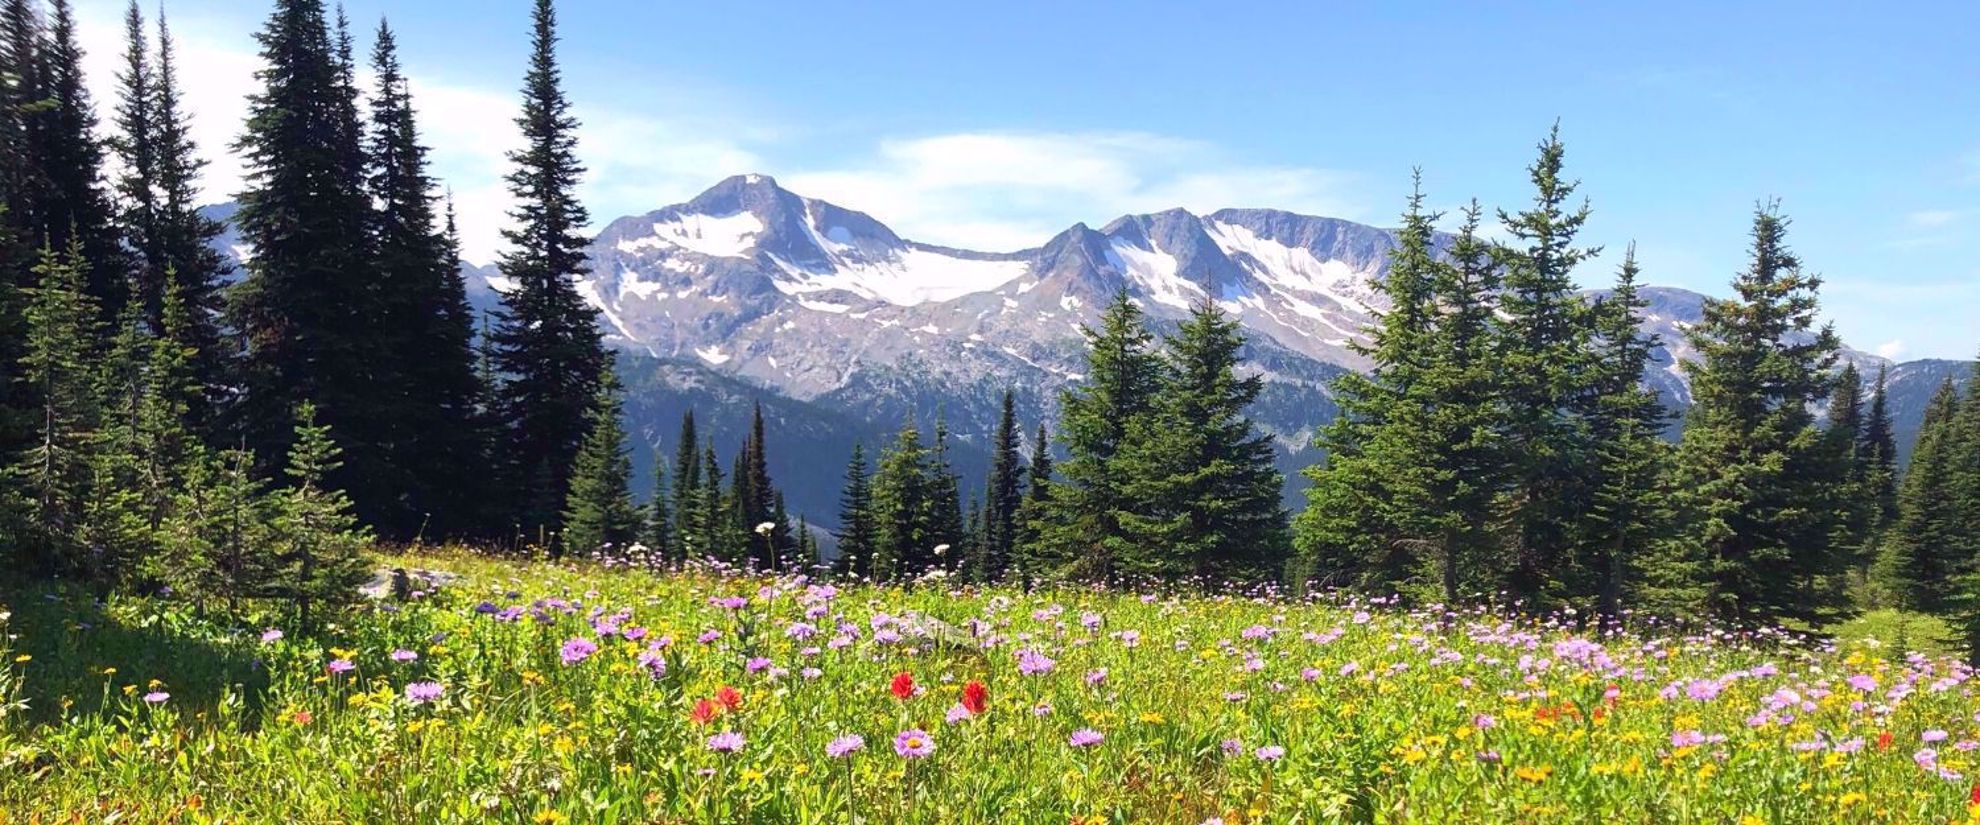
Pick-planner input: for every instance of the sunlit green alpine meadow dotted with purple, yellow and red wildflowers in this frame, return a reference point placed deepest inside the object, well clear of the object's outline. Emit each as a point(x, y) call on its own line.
point(1207, 709)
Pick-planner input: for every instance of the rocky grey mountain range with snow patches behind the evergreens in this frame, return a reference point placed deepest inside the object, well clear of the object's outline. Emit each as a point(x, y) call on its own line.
point(844, 329)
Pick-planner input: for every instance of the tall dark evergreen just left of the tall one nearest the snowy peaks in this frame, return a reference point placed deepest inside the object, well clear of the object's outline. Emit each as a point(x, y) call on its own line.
point(435, 405)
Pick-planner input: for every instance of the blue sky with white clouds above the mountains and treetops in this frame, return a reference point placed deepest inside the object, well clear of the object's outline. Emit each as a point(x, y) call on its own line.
point(995, 126)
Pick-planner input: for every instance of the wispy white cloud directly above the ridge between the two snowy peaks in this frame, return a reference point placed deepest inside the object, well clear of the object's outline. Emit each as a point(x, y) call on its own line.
point(1009, 191)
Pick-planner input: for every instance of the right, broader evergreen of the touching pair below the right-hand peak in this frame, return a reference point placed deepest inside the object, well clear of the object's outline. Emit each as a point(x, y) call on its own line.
point(1203, 478)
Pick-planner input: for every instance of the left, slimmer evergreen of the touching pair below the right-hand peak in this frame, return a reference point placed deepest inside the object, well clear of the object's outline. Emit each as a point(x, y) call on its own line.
point(1080, 535)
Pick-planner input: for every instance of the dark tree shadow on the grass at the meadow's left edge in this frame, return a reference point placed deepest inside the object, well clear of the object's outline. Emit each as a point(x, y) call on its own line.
point(72, 638)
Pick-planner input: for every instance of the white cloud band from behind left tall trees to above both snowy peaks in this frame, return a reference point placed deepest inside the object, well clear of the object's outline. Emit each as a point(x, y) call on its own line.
point(985, 191)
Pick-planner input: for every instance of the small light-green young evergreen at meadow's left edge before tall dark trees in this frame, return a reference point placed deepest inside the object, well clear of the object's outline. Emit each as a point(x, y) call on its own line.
point(320, 559)
